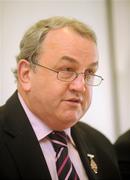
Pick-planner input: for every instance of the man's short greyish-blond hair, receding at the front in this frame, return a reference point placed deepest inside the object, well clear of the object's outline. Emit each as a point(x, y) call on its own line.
point(35, 35)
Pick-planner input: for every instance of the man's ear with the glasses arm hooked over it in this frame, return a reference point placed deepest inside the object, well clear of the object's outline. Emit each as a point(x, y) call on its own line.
point(24, 72)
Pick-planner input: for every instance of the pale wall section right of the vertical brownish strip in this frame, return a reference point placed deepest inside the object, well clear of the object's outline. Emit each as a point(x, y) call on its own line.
point(121, 29)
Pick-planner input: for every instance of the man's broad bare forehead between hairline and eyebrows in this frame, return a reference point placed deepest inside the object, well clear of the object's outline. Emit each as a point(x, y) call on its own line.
point(65, 42)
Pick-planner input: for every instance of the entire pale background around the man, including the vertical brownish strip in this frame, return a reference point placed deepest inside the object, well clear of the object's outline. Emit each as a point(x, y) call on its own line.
point(109, 111)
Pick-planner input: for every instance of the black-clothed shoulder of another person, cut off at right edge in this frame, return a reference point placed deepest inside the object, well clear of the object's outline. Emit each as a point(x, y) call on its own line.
point(122, 147)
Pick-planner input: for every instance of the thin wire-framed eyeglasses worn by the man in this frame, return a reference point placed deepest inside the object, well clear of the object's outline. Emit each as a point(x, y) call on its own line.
point(68, 76)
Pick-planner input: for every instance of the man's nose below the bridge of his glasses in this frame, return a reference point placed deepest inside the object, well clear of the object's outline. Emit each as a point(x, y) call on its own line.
point(78, 84)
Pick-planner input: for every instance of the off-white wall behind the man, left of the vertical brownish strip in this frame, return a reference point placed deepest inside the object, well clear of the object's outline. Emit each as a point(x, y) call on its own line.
point(17, 16)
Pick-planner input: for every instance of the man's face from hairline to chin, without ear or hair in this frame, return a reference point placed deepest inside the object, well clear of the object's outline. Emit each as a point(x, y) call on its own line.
point(61, 104)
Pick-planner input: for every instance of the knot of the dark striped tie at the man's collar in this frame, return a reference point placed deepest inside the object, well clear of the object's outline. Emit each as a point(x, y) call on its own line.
point(58, 139)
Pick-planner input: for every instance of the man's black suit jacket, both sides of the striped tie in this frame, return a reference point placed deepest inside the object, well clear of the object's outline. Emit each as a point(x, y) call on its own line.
point(21, 156)
